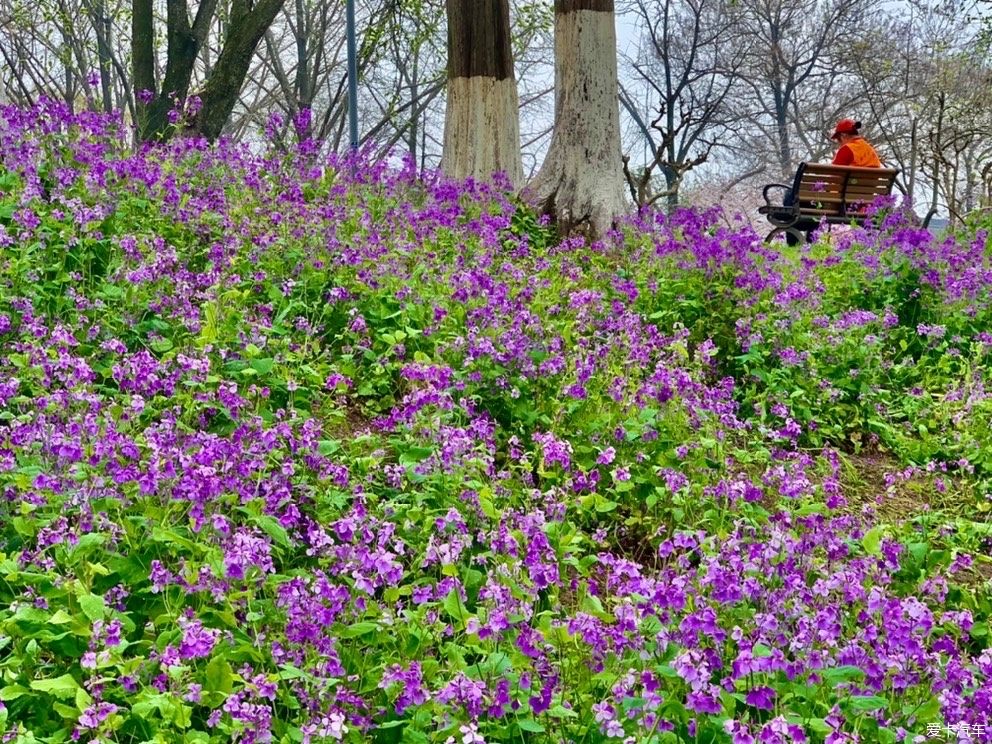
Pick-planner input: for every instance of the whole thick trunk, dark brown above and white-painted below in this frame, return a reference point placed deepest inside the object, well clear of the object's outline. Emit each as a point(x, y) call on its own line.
point(482, 124)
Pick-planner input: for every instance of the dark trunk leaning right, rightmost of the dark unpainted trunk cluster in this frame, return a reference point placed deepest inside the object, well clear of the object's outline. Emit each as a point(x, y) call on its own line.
point(220, 94)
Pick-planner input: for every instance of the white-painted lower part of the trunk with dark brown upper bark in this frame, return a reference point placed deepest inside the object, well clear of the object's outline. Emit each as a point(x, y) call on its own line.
point(482, 129)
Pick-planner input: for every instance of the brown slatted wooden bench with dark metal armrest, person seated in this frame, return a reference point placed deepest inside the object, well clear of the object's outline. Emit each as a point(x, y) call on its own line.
point(836, 194)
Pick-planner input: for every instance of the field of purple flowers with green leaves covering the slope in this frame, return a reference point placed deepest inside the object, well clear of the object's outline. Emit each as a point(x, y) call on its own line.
point(293, 455)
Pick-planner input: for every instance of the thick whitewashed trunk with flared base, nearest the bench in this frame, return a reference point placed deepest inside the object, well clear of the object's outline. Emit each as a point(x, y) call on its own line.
point(580, 183)
